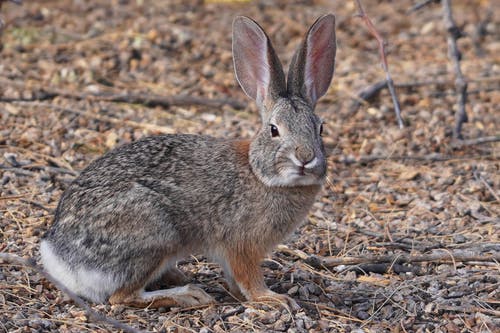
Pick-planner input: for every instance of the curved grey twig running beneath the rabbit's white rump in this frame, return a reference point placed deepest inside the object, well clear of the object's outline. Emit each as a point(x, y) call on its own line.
point(97, 316)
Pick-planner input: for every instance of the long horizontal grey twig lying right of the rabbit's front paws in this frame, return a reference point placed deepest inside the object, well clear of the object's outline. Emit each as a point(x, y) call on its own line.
point(449, 256)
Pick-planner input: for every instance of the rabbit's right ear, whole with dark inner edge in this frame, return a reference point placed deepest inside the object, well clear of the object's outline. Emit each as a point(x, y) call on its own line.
point(311, 69)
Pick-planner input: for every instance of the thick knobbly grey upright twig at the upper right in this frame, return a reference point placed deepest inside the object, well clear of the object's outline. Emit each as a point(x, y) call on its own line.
point(454, 33)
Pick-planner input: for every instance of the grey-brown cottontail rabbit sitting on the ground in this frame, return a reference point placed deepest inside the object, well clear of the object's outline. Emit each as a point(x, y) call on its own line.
point(131, 214)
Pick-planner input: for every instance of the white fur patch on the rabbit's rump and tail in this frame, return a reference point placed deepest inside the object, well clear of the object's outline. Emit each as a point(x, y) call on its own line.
point(93, 285)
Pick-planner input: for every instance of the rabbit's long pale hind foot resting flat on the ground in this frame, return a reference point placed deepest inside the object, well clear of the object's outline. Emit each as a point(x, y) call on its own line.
point(184, 296)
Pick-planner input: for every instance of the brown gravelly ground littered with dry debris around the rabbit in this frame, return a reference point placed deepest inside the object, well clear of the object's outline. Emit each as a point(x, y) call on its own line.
point(390, 191)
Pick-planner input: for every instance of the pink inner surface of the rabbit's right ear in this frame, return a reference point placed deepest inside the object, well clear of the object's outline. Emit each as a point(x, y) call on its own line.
point(320, 59)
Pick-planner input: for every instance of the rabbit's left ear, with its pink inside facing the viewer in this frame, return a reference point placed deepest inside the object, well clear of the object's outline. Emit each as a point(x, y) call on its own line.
point(258, 69)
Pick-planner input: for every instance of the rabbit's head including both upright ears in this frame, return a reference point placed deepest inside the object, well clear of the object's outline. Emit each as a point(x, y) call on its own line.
point(287, 150)
